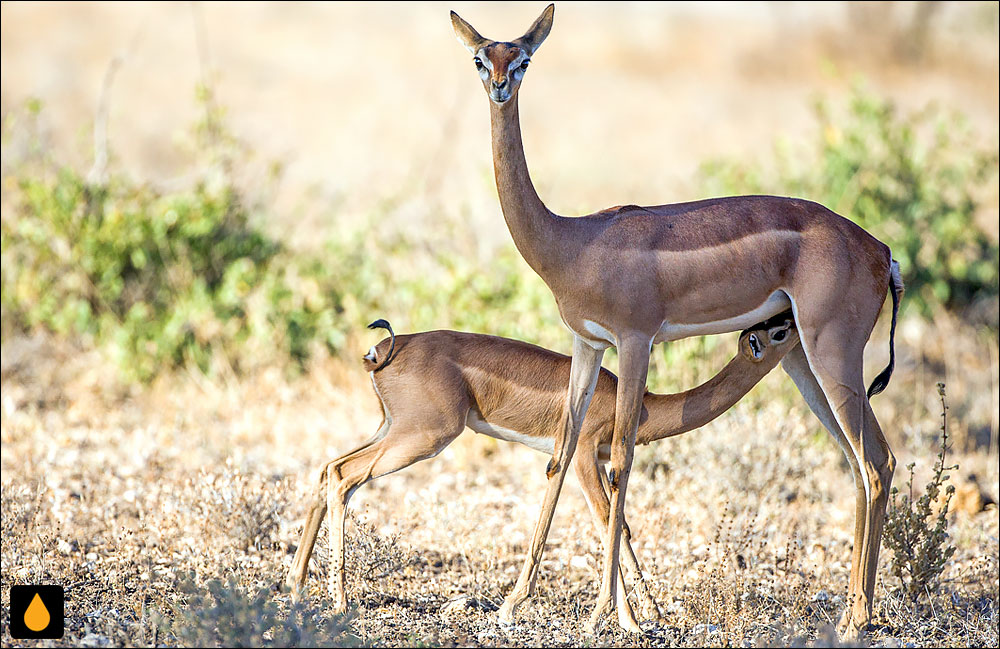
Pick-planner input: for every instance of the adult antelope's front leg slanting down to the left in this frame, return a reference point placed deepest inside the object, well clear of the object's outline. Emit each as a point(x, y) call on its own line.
point(583, 378)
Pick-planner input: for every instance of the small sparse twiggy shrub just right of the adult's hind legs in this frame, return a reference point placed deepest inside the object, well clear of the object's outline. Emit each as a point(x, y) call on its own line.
point(918, 536)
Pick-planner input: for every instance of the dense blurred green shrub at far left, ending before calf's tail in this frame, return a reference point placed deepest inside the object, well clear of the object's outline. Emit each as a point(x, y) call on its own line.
point(169, 278)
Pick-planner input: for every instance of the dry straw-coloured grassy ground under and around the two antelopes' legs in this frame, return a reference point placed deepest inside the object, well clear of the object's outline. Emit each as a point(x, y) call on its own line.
point(744, 527)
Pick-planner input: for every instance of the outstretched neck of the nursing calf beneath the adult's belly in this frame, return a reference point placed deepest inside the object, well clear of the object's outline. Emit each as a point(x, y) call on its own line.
point(673, 414)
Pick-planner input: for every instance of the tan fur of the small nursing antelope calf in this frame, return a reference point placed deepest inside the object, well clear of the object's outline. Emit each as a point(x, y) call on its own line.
point(436, 379)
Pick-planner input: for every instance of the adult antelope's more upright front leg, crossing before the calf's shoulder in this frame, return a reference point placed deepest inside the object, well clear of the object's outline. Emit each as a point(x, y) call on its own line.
point(633, 365)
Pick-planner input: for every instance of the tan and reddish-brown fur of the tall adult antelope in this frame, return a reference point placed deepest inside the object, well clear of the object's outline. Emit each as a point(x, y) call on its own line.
point(648, 274)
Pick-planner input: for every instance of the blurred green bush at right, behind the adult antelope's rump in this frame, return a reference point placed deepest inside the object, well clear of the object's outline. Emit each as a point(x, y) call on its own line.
point(917, 182)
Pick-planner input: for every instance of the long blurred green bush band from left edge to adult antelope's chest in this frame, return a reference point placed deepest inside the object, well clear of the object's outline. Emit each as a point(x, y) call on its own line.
point(167, 279)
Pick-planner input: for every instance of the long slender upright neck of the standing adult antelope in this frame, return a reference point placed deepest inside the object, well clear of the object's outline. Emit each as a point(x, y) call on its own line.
point(537, 232)
